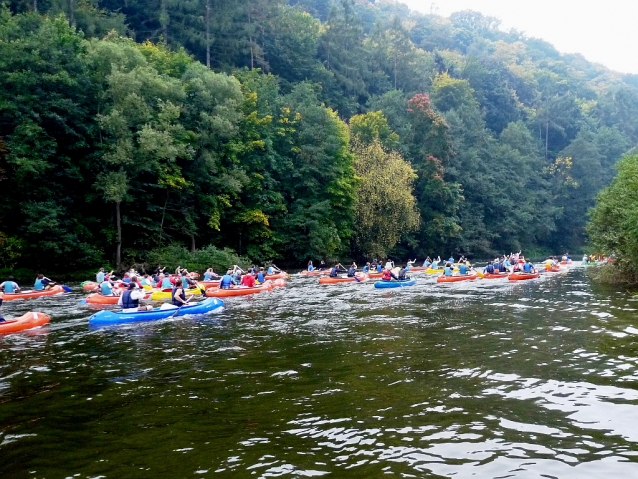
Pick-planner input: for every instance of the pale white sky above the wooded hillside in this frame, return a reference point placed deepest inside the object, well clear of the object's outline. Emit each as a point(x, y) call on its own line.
point(602, 31)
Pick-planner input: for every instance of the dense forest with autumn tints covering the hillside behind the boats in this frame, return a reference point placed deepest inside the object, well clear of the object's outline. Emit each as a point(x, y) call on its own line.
point(294, 130)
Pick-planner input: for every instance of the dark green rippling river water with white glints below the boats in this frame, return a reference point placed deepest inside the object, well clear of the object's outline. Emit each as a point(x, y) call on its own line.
point(484, 379)
